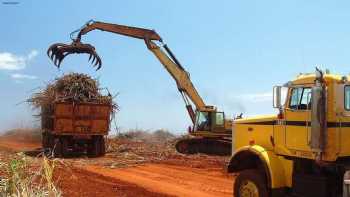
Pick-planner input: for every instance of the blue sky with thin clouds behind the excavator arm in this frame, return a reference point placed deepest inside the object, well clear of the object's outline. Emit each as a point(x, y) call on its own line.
point(235, 51)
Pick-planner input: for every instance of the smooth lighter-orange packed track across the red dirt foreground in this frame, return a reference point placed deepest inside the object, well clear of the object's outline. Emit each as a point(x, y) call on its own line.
point(172, 180)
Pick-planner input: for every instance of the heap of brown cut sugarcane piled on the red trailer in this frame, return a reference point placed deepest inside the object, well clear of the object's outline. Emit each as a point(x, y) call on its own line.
point(72, 87)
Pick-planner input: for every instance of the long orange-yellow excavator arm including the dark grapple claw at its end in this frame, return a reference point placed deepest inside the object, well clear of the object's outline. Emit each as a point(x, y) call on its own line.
point(189, 93)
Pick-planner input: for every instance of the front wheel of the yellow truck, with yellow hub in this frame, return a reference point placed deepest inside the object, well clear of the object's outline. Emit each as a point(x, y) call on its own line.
point(250, 183)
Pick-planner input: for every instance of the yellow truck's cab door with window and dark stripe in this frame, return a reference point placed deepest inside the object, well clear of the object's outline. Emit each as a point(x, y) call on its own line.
point(297, 118)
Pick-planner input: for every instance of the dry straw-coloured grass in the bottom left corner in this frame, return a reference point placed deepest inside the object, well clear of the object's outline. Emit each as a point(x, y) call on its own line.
point(20, 176)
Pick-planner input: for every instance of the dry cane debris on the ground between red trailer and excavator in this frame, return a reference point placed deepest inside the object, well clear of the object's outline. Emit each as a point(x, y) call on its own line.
point(139, 146)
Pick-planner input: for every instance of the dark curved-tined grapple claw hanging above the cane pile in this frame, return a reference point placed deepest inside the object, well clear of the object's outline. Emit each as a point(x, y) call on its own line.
point(57, 52)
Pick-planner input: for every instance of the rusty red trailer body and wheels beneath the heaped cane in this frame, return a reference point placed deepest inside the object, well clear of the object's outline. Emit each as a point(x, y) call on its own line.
point(76, 127)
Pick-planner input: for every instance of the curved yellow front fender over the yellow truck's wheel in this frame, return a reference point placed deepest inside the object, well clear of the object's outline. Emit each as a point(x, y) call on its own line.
point(249, 157)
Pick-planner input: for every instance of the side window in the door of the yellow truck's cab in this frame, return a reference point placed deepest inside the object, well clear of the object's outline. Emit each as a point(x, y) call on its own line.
point(300, 98)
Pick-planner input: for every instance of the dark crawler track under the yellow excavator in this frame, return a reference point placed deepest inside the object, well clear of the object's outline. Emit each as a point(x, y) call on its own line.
point(203, 145)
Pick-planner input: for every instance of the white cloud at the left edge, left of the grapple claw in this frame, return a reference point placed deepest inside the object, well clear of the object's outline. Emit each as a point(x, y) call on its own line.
point(9, 61)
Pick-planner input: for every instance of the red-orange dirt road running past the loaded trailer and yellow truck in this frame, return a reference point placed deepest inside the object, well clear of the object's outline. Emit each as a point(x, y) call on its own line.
point(91, 177)
